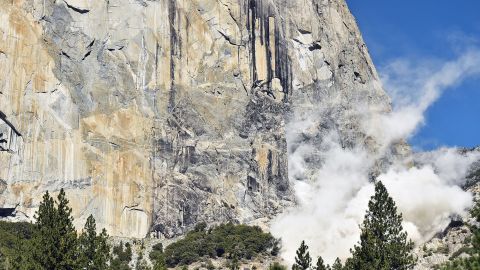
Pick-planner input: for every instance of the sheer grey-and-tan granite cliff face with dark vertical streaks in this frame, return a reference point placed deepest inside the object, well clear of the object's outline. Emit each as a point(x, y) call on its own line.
point(154, 115)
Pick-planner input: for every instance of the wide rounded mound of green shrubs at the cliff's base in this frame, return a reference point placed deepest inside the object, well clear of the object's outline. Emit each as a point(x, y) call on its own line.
point(231, 241)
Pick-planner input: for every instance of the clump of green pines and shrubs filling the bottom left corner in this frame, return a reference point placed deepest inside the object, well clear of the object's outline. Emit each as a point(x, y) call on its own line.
point(52, 243)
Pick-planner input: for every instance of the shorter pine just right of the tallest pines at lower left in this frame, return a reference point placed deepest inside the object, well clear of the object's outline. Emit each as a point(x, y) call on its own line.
point(94, 251)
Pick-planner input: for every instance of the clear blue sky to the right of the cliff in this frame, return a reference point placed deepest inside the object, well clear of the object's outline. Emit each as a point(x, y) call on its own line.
point(437, 30)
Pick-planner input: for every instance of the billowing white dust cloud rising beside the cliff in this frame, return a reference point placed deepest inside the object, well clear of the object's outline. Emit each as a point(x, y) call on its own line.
point(332, 200)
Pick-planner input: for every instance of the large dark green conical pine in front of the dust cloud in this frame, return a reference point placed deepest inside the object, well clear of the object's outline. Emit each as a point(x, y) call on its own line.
point(383, 243)
